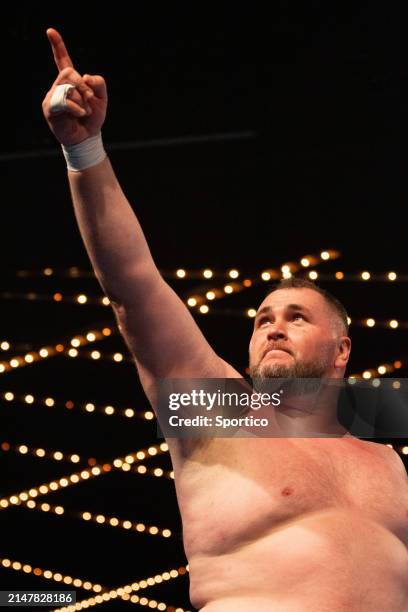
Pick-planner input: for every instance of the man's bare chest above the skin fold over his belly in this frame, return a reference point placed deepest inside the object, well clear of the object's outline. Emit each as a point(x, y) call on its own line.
point(237, 488)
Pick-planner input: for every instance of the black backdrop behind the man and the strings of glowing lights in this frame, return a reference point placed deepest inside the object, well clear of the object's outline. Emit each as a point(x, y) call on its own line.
point(242, 139)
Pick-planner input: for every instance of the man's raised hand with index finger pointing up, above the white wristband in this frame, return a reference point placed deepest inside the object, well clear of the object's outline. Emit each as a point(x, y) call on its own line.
point(85, 103)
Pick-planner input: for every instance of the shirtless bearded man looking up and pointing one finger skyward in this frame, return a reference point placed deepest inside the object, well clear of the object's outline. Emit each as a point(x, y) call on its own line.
point(283, 524)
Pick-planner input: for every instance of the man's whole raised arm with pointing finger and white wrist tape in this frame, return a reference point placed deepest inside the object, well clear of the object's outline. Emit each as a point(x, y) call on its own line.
point(156, 324)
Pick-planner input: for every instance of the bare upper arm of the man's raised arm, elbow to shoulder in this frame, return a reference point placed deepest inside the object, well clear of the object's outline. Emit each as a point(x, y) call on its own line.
point(163, 336)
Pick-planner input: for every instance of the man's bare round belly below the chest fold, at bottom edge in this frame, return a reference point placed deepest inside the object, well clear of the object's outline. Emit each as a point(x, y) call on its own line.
point(328, 561)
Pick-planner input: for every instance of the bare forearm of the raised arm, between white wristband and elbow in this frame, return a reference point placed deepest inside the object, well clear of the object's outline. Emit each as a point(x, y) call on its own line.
point(110, 230)
